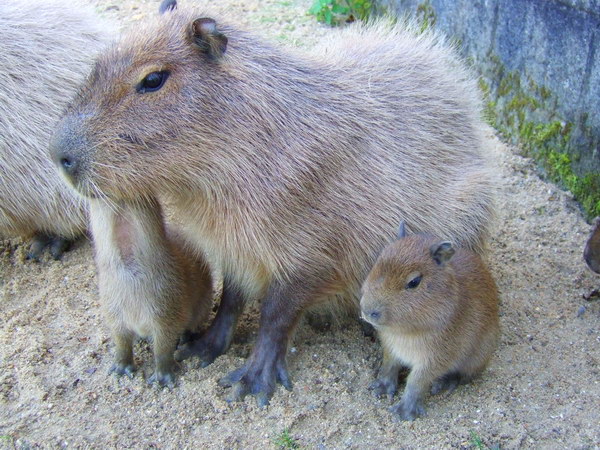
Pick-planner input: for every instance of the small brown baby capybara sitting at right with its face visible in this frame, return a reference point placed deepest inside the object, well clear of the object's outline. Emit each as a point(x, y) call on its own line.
point(435, 308)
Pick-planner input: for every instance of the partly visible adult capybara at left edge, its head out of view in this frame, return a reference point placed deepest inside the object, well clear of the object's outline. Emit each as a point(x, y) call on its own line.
point(46, 49)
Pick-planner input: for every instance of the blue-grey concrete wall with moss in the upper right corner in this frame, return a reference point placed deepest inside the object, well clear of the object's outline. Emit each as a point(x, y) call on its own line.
point(540, 60)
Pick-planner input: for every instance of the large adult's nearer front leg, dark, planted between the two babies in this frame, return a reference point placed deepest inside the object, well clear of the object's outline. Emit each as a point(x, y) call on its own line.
point(266, 366)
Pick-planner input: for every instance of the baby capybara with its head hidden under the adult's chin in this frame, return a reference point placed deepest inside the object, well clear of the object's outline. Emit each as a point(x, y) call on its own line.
point(150, 285)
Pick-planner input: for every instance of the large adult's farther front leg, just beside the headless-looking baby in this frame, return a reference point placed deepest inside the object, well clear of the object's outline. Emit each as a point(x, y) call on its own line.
point(217, 338)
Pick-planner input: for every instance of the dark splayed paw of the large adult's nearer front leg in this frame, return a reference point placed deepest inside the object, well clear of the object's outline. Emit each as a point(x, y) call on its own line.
point(257, 380)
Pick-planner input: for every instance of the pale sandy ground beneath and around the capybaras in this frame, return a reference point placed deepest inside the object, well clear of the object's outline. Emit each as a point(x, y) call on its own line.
point(542, 389)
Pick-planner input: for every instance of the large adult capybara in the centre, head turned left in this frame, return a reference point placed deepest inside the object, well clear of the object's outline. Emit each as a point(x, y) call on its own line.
point(289, 170)
